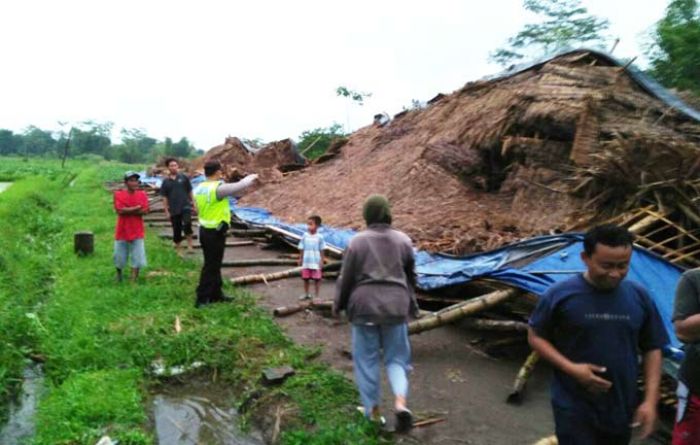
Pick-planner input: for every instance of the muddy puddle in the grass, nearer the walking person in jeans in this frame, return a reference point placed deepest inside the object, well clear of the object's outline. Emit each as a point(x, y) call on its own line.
point(195, 414)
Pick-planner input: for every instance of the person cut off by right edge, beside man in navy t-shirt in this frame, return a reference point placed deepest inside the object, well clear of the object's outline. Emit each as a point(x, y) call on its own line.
point(686, 321)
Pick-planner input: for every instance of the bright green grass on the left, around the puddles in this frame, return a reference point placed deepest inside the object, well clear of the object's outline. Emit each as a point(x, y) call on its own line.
point(99, 338)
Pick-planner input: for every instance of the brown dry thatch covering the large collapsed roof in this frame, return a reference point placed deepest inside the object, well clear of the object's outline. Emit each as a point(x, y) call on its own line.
point(571, 139)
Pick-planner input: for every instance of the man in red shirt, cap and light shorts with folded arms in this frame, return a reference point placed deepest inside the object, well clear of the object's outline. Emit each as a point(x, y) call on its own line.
point(130, 204)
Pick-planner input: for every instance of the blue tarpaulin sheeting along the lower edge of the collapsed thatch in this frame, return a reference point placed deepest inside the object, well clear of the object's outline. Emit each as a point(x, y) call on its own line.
point(532, 265)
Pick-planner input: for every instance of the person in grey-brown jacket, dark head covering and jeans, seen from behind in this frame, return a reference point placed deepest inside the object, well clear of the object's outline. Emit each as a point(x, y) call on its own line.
point(376, 289)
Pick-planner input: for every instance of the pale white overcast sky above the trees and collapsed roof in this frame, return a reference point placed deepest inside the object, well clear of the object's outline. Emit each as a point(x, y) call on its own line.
point(263, 69)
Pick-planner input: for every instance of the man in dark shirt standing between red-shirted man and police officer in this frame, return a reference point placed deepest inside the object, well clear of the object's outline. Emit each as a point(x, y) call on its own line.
point(176, 191)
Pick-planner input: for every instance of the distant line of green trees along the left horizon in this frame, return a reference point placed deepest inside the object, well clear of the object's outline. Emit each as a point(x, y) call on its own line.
point(92, 139)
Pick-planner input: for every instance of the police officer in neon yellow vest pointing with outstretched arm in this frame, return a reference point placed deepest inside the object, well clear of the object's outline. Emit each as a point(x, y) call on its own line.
point(214, 212)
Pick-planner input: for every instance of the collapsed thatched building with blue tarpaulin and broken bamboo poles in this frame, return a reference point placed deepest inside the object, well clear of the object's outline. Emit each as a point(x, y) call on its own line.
point(550, 147)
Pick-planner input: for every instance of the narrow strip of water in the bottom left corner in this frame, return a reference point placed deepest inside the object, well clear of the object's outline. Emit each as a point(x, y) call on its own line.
point(20, 426)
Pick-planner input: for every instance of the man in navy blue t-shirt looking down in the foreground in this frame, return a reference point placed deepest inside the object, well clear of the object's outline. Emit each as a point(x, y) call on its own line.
point(592, 328)
